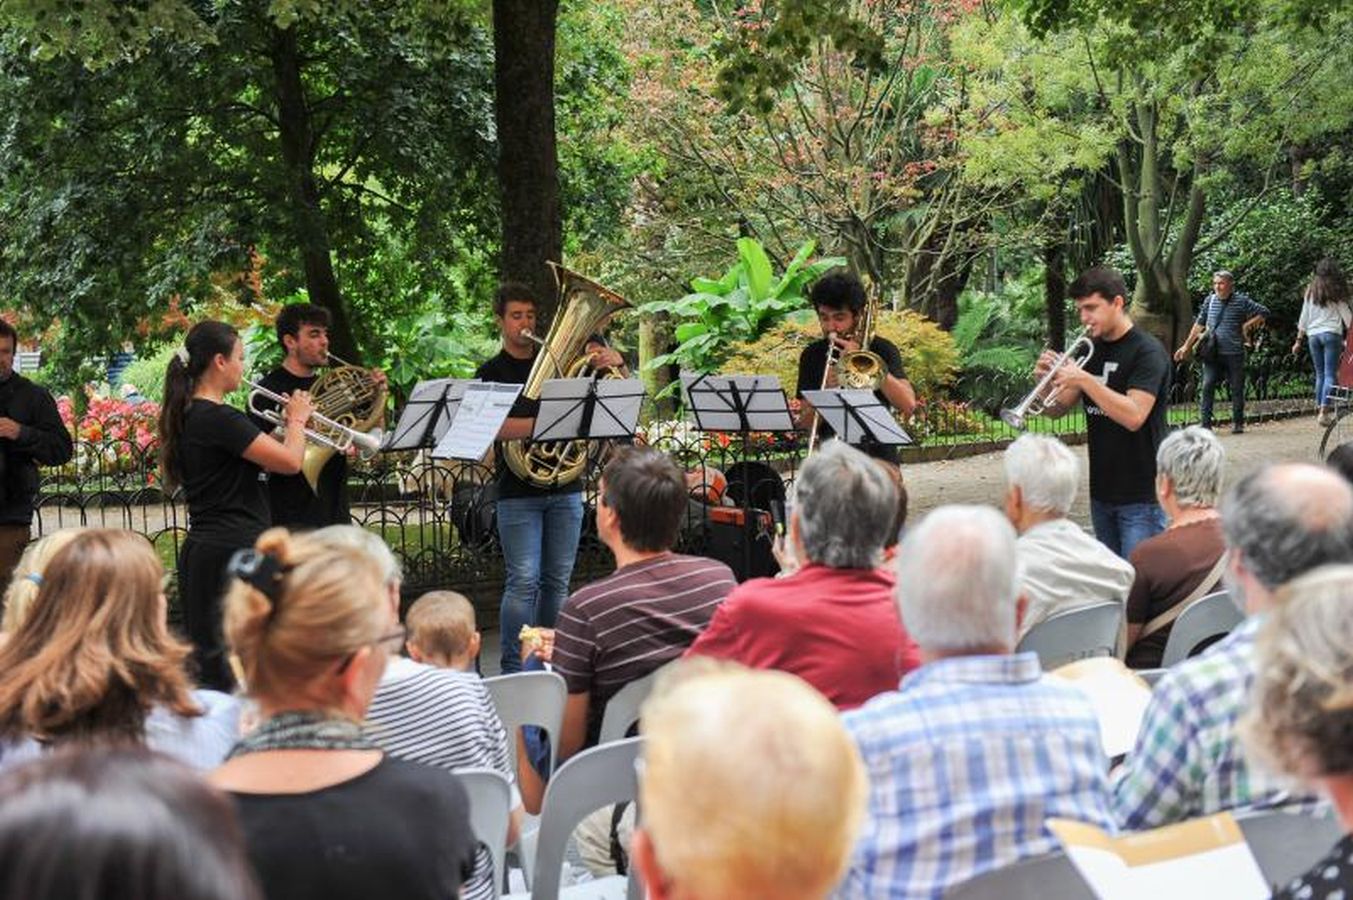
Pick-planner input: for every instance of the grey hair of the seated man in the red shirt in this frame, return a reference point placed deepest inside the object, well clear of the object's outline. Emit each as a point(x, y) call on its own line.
point(845, 505)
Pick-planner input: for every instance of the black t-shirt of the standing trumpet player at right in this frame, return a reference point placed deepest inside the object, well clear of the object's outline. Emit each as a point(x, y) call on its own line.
point(1124, 462)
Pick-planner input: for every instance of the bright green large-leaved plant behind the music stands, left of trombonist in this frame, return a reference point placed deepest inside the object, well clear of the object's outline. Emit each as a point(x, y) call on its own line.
point(739, 307)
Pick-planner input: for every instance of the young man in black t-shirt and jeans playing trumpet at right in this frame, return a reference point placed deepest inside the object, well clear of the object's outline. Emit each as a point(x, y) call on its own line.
point(1124, 388)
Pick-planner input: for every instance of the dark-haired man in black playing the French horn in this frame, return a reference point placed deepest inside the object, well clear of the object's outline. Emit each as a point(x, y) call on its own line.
point(304, 334)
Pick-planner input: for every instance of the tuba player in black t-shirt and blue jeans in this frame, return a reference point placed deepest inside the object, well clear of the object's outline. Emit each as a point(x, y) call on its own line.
point(538, 527)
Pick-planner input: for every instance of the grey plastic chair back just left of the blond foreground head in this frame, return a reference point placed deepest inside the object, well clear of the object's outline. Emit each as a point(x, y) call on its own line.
point(600, 778)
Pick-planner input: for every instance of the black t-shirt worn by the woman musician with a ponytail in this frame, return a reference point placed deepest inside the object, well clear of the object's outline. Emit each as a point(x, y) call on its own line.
point(228, 496)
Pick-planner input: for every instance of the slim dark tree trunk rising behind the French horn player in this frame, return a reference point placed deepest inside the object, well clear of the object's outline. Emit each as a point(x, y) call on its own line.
point(298, 155)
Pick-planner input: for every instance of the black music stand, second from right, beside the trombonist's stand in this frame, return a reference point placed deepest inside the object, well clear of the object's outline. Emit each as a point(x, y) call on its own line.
point(741, 404)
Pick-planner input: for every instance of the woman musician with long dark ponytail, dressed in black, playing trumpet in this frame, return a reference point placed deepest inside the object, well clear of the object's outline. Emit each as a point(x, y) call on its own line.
point(220, 458)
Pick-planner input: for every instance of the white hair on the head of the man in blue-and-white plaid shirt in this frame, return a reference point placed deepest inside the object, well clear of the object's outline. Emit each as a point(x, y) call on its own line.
point(959, 580)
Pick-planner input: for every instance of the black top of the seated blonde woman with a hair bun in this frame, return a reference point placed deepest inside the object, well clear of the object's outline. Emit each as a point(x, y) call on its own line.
point(400, 830)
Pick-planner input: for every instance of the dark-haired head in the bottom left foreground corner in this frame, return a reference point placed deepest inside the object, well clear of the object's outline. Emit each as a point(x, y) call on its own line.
point(118, 825)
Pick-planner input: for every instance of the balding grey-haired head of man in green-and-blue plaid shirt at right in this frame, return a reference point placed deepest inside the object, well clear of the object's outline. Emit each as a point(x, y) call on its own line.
point(1290, 519)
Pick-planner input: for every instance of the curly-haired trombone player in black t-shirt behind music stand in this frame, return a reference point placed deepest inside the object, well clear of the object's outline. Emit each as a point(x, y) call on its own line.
point(840, 301)
